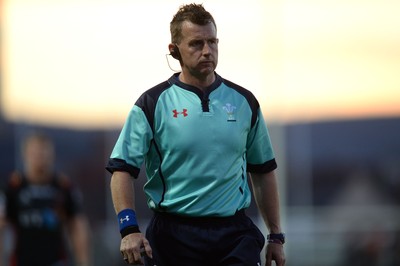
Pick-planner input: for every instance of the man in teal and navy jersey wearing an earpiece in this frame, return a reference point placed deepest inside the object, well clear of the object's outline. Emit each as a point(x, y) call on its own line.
point(199, 136)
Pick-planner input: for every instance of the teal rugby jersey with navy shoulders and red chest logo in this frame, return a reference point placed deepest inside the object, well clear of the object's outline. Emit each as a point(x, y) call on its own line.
point(197, 147)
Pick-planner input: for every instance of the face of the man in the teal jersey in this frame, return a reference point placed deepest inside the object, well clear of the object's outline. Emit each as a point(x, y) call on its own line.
point(199, 49)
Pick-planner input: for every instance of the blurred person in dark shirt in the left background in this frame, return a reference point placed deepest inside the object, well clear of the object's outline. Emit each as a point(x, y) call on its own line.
point(44, 211)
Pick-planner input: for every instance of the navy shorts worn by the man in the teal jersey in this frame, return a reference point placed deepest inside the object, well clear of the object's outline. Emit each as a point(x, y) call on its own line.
point(183, 241)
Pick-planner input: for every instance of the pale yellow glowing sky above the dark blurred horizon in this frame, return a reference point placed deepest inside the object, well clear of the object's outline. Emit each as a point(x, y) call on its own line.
point(84, 63)
